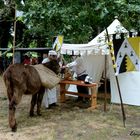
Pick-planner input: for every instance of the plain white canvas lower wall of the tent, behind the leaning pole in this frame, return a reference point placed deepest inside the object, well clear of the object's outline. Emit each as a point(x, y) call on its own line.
point(129, 83)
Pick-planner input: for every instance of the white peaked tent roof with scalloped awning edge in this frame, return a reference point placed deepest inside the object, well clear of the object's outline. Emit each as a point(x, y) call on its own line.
point(97, 45)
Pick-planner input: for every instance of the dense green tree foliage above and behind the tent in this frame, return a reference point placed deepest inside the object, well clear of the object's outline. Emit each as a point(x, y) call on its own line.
point(78, 20)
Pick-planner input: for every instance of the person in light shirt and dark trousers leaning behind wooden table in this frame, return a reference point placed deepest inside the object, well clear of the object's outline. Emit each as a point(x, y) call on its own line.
point(78, 67)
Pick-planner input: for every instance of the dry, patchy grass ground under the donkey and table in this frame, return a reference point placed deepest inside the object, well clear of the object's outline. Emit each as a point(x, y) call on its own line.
point(70, 121)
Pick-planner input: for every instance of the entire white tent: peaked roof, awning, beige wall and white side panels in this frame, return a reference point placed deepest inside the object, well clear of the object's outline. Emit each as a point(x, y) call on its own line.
point(95, 62)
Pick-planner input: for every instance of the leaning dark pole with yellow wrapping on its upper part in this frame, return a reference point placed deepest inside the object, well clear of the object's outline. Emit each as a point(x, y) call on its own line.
point(113, 62)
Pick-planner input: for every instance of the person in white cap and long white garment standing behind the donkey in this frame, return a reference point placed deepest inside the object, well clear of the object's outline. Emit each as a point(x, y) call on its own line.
point(50, 96)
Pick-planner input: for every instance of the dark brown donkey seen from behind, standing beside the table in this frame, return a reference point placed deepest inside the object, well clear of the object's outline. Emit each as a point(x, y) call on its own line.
point(24, 79)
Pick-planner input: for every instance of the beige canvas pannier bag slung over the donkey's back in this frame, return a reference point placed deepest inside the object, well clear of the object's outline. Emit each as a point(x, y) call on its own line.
point(48, 78)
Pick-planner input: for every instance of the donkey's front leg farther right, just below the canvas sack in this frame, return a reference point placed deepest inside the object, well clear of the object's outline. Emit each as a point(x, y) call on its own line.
point(39, 100)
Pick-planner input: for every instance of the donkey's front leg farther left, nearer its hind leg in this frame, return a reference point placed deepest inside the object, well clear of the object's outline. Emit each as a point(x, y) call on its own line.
point(33, 102)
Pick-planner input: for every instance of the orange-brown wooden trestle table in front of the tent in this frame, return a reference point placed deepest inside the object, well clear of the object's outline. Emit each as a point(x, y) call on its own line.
point(93, 88)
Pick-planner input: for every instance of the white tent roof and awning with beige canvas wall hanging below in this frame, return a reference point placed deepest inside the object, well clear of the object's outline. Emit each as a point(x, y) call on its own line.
point(94, 52)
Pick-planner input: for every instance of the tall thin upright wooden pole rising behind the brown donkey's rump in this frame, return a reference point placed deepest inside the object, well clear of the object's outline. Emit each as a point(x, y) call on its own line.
point(14, 39)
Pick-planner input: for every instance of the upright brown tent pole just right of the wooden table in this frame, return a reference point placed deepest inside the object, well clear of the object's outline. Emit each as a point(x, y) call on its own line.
point(105, 86)
